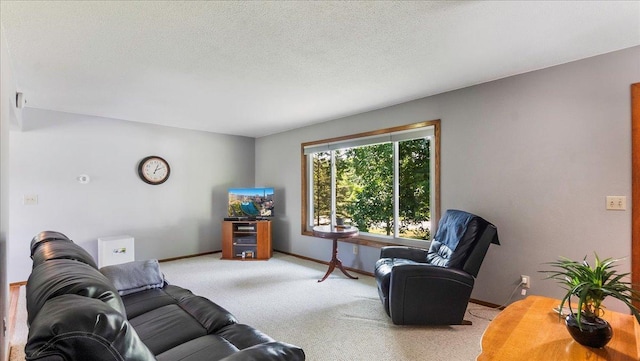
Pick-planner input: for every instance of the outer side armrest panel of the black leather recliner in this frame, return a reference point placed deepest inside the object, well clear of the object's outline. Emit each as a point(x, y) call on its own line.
point(438, 296)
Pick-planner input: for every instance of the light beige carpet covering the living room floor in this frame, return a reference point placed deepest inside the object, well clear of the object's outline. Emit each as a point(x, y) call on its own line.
point(338, 319)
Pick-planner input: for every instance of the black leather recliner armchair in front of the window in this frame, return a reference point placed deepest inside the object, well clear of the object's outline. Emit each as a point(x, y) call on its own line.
point(433, 287)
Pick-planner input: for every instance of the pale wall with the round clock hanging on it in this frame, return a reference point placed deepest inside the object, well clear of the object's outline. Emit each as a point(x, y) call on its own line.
point(180, 217)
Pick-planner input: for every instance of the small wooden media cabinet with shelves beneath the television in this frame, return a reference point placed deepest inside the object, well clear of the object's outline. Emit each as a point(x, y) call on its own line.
point(246, 240)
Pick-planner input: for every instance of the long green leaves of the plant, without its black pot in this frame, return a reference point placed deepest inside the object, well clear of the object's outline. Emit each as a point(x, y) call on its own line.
point(591, 285)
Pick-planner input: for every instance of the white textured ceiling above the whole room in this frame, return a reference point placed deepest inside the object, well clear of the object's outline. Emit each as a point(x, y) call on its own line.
point(256, 68)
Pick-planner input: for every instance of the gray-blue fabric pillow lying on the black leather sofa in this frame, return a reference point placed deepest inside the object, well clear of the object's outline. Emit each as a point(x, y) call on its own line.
point(136, 276)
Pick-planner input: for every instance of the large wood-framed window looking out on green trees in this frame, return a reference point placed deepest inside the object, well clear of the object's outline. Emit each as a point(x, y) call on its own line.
point(383, 182)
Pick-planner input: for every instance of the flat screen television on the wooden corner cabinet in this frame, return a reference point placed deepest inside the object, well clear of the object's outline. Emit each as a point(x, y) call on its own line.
point(251, 202)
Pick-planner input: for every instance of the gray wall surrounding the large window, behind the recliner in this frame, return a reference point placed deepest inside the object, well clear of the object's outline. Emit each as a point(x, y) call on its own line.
point(535, 154)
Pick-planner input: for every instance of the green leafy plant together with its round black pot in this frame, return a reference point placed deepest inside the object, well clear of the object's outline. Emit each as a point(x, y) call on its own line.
point(591, 285)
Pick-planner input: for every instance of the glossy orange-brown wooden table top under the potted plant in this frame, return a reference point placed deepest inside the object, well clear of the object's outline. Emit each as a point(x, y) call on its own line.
point(530, 330)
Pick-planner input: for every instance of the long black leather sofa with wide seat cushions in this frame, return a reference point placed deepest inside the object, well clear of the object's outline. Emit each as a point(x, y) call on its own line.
point(76, 313)
